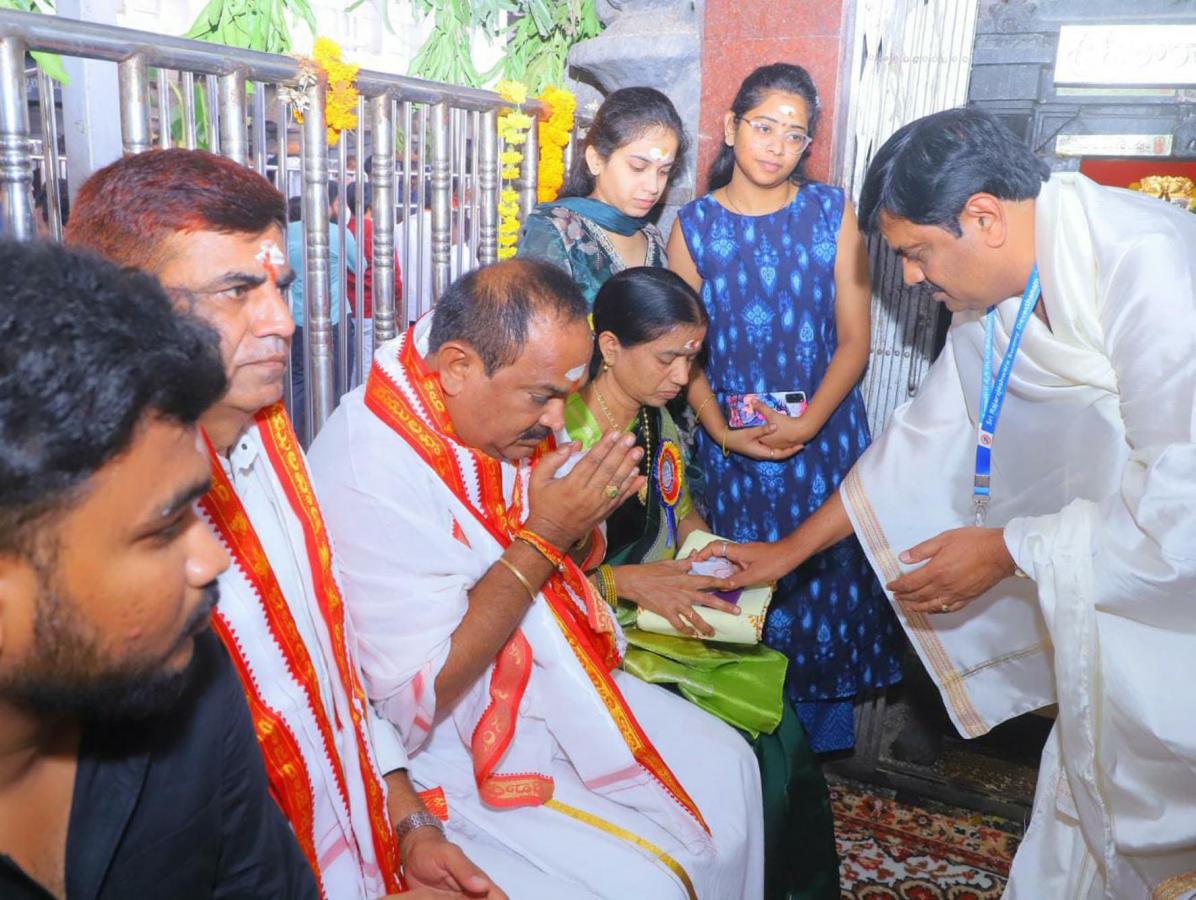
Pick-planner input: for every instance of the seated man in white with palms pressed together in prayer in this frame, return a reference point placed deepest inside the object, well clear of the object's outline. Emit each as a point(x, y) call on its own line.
point(485, 644)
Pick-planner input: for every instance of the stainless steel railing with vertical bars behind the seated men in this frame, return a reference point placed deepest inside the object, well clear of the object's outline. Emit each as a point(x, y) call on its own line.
point(435, 200)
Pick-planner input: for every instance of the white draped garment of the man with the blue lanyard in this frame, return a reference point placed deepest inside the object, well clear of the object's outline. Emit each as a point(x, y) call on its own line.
point(1095, 482)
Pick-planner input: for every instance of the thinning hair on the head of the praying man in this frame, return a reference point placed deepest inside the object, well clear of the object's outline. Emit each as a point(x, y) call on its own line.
point(492, 309)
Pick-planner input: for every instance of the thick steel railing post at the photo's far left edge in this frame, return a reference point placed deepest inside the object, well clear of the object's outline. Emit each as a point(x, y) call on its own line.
point(16, 170)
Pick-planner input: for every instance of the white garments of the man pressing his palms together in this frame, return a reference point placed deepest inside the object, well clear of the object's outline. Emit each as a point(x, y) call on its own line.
point(407, 580)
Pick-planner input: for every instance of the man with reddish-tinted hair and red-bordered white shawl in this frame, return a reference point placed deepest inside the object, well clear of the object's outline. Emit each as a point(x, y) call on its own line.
point(212, 231)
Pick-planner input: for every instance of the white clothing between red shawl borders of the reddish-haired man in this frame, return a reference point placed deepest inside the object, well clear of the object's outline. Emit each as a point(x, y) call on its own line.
point(344, 838)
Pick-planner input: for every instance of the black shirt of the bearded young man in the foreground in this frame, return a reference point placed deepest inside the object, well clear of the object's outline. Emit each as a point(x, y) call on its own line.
point(178, 806)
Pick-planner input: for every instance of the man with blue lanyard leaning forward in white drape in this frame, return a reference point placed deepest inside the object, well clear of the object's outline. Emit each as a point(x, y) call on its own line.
point(1038, 526)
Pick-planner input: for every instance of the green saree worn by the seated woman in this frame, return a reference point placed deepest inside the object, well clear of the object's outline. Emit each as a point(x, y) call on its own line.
point(741, 685)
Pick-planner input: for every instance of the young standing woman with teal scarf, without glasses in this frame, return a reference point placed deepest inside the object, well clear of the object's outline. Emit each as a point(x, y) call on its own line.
point(599, 226)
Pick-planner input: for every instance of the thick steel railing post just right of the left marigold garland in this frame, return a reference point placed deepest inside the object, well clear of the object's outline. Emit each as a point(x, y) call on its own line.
point(382, 177)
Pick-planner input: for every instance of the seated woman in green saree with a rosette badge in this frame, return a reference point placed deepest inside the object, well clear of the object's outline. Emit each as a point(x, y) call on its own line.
point(649, 327)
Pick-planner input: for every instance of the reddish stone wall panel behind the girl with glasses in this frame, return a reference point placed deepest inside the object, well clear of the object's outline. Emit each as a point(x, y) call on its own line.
point(741, 35)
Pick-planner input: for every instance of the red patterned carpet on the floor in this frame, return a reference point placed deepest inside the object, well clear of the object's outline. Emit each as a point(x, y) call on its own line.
point(896, 852)
